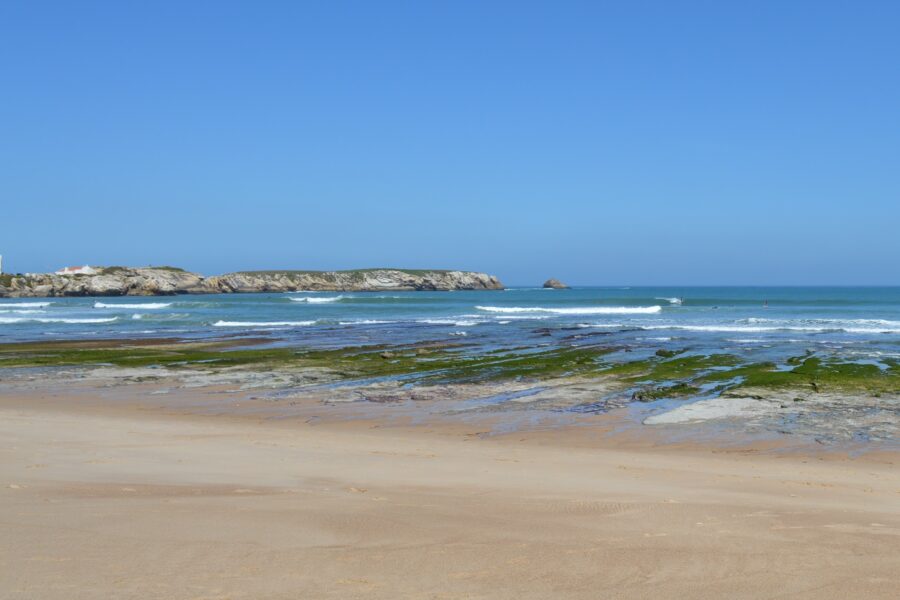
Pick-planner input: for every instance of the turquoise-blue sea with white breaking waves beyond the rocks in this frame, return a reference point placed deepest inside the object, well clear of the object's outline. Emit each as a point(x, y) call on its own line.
point(857, 322)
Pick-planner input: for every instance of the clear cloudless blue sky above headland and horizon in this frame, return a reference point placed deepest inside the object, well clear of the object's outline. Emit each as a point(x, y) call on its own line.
point(596, 142)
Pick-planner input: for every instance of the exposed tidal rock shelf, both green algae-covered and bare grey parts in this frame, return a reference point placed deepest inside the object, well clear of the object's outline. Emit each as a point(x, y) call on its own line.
point(719, 398)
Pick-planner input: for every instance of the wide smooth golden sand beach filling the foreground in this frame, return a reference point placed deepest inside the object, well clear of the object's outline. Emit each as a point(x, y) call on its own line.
point(105, 500)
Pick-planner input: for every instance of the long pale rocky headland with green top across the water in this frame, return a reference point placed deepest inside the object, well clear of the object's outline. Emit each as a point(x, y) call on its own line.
point(168, 281)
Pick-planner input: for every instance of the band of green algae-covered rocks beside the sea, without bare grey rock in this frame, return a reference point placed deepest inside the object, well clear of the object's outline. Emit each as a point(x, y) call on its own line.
point(659, 376)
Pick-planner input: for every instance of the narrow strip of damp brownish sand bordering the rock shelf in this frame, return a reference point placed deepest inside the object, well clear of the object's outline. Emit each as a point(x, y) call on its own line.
point(611, 431)
